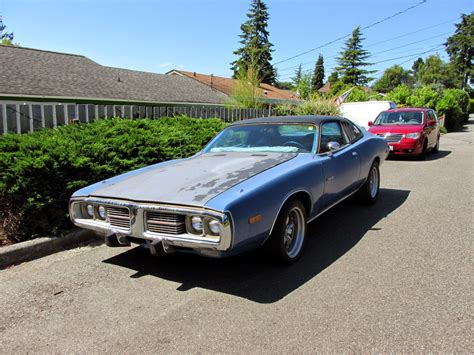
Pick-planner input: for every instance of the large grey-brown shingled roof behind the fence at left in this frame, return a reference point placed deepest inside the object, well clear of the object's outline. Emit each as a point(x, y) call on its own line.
point(25, 71)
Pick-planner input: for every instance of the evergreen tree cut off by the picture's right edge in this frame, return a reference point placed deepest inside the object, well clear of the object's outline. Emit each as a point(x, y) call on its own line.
point(460, 48)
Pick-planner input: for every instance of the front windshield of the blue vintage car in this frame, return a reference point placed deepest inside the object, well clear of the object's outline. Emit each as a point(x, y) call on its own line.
point(282, 138)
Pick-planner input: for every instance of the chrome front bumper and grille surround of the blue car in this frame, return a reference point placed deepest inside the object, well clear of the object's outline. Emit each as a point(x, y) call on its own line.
point(138, 226)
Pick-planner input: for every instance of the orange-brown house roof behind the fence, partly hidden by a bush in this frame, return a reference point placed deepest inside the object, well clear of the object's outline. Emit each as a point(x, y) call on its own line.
point(266, 93)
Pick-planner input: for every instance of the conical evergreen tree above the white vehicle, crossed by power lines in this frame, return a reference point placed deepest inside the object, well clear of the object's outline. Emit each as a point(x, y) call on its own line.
point(352, 61)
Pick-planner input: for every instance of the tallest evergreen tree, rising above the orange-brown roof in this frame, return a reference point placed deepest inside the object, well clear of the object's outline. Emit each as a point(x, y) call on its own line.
point(256, 50)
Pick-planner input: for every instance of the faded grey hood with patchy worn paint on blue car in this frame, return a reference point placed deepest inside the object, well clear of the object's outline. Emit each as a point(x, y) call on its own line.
point(192, 181)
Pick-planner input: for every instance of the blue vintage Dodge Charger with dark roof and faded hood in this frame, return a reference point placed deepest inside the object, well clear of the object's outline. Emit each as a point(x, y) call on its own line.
point(257, 183)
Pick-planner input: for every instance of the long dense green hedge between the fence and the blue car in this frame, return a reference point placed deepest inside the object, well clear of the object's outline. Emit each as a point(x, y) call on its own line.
point(40, 171)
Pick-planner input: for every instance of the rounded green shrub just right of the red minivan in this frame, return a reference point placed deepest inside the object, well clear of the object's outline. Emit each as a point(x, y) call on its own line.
point(454, 106)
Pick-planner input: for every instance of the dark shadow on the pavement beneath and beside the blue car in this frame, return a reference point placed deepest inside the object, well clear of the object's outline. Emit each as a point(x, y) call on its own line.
point(251, 276)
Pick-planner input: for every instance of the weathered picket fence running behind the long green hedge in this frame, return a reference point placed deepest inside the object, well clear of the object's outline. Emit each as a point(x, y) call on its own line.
point(27, 117)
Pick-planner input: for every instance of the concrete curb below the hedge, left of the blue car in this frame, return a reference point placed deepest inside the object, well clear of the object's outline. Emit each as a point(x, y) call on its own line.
point(37, 248)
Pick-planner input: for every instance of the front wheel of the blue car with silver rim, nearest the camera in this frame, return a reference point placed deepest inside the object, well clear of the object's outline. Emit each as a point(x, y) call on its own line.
point(288, 237)
